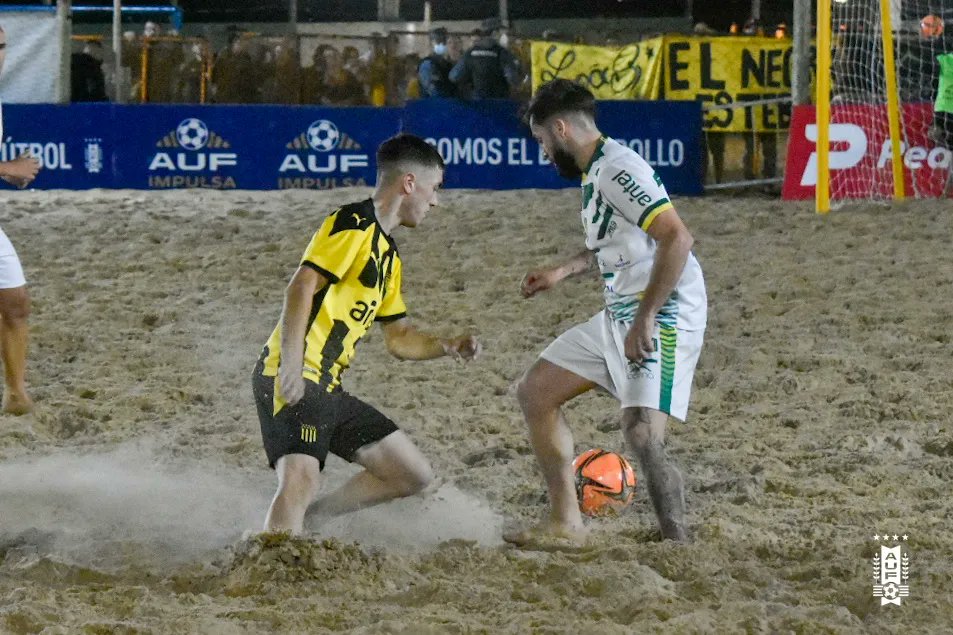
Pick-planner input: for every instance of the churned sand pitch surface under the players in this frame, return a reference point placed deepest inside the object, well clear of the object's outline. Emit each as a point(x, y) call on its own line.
point(821, 416)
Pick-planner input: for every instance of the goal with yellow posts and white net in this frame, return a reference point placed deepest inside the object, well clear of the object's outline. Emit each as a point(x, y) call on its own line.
point(872, 134)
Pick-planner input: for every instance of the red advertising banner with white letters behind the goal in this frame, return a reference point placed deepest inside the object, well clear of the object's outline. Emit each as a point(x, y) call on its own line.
point(860, 156)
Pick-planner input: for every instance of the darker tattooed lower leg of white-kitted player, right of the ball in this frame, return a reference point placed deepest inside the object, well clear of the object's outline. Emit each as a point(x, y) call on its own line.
point(644, 432)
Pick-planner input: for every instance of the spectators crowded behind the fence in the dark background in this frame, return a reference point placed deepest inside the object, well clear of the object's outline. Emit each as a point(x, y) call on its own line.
point(381, 69)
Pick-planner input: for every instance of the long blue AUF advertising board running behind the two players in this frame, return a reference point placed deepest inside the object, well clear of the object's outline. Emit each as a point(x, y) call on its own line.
point(484, 143)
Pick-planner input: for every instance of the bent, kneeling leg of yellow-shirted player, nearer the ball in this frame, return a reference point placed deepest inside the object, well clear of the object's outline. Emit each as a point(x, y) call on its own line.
point(393, 468)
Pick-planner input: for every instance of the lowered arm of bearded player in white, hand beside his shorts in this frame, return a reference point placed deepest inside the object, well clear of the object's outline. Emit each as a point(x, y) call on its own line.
point(674, 244)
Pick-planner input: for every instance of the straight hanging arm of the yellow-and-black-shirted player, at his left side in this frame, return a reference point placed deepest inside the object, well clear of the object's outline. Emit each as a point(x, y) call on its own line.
point(299, 297)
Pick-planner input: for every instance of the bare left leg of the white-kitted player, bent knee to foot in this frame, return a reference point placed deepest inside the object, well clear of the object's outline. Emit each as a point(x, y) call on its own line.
point(542, 392)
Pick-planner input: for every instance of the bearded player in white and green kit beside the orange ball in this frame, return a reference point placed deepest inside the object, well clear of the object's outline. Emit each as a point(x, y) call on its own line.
point(643, 346)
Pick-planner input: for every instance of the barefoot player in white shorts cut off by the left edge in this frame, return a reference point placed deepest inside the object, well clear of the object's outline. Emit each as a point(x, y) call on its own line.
point(14, 299)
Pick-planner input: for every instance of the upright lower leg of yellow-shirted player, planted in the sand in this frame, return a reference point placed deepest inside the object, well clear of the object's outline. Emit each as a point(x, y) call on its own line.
point(299, 479)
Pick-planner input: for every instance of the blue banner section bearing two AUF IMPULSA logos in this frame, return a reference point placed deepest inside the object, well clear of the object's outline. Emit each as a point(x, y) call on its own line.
point(249, 147)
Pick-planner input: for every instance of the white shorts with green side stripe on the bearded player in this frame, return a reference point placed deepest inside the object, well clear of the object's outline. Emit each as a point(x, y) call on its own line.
point(595, 350)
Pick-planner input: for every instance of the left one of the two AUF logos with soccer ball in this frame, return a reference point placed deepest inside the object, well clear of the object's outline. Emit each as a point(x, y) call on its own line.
point(192, 134)
